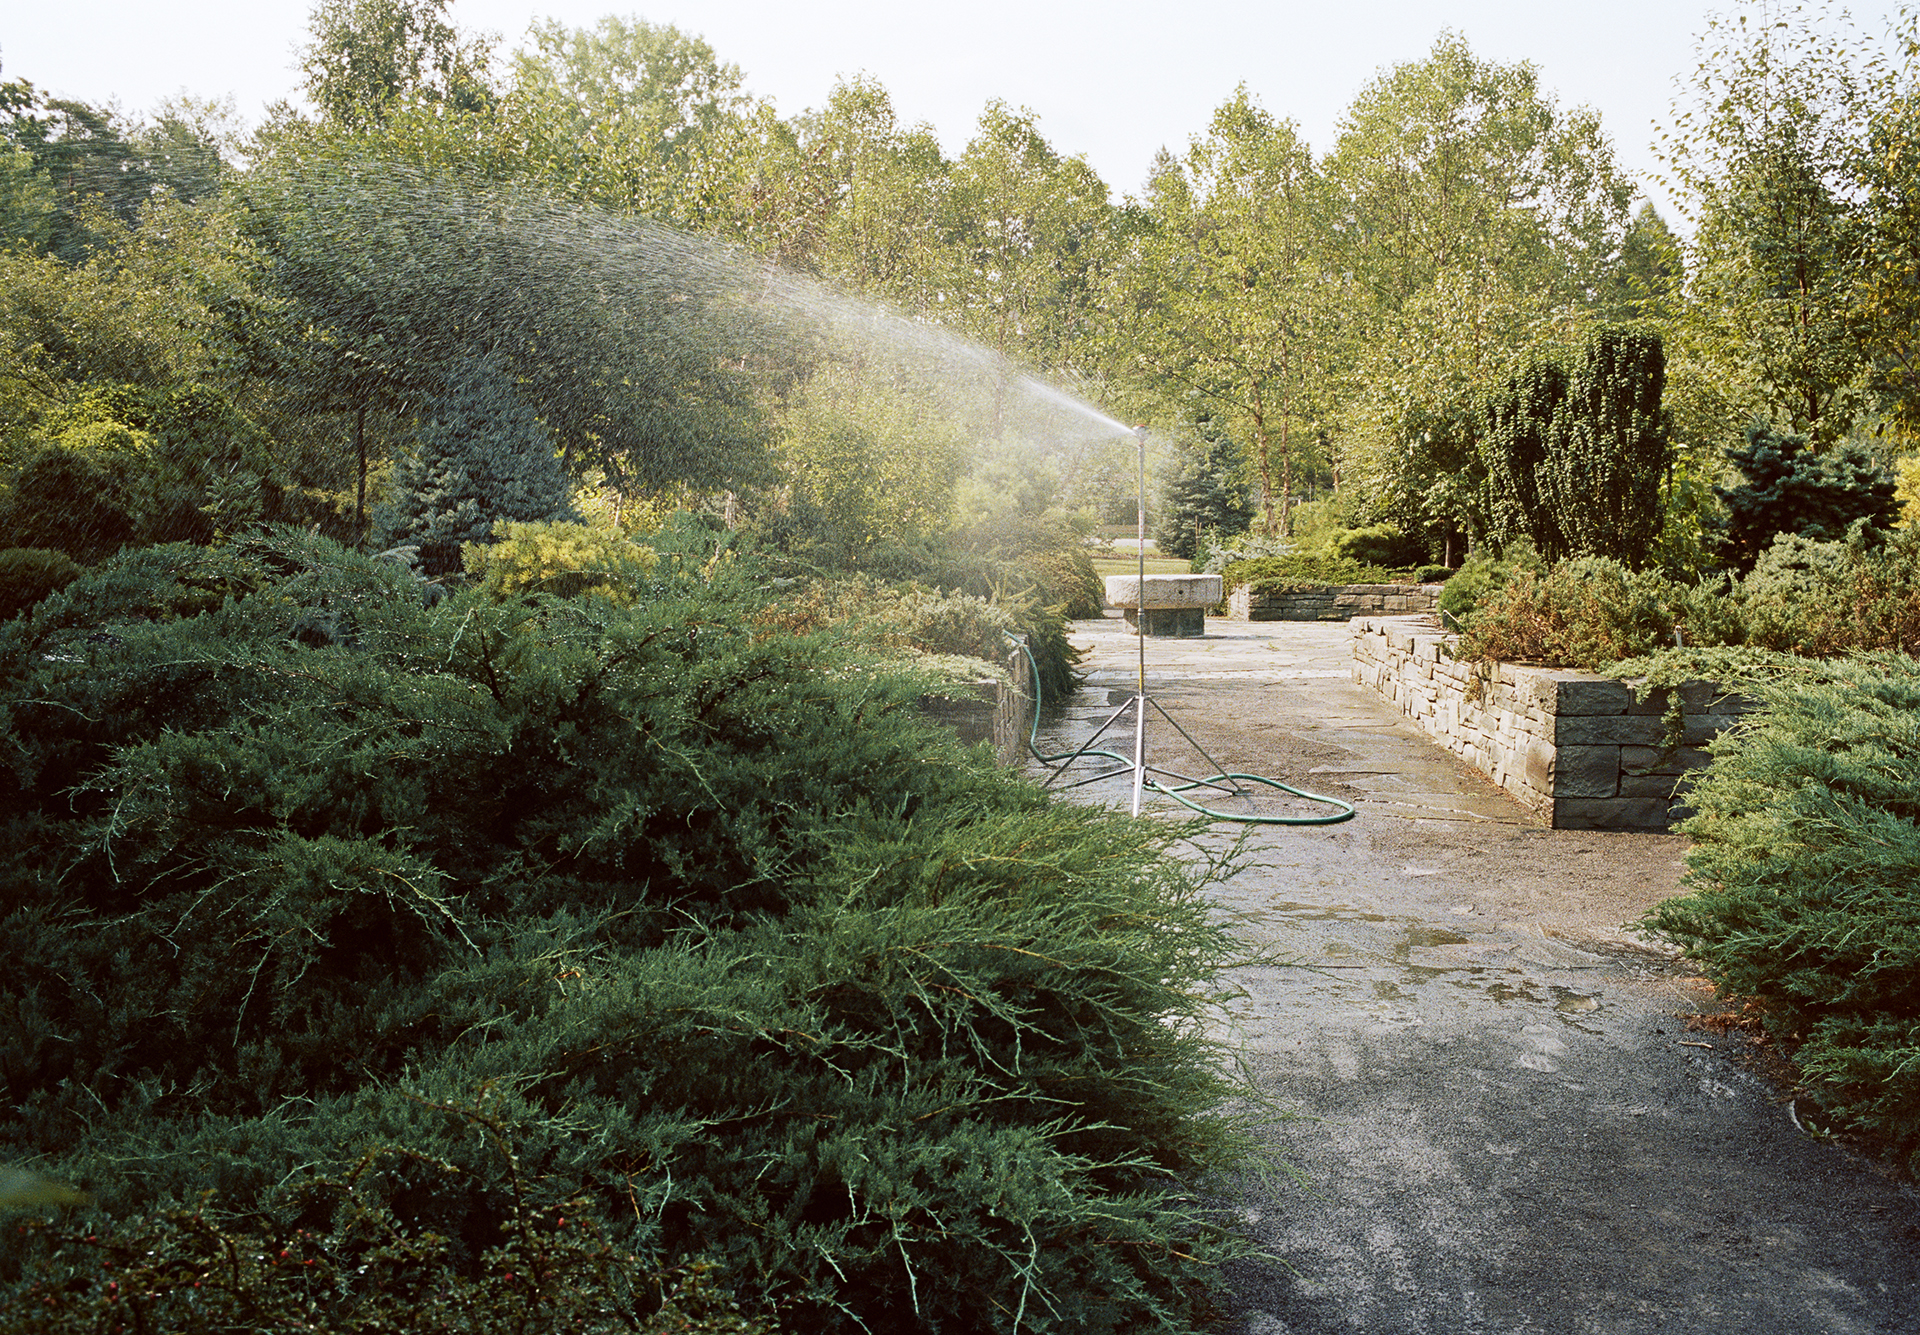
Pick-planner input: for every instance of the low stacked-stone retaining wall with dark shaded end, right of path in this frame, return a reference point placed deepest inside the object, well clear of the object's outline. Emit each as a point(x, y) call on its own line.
point(1572, 746)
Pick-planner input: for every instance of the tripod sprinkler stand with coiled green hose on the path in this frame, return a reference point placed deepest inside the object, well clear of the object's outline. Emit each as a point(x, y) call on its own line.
point(1149, 777)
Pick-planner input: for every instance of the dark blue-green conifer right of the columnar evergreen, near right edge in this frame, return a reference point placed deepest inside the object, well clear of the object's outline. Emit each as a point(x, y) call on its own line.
point(1790, 487)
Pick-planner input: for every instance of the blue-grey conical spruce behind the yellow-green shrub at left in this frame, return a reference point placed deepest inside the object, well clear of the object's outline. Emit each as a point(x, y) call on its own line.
point(483, 458)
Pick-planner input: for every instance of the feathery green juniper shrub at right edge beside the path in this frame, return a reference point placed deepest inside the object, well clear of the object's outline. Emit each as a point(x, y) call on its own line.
point(1806, 879)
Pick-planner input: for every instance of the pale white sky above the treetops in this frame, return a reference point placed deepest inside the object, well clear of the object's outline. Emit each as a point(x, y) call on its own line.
point(1111, 82)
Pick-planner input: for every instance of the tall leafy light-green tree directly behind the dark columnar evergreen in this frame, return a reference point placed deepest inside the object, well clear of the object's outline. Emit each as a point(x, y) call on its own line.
point(1477, 220)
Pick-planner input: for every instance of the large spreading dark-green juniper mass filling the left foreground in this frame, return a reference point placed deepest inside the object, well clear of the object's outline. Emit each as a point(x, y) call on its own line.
point(514, 959)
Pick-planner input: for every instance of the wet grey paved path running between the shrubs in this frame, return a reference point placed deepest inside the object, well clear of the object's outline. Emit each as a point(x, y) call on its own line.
point(1502, 1117)
